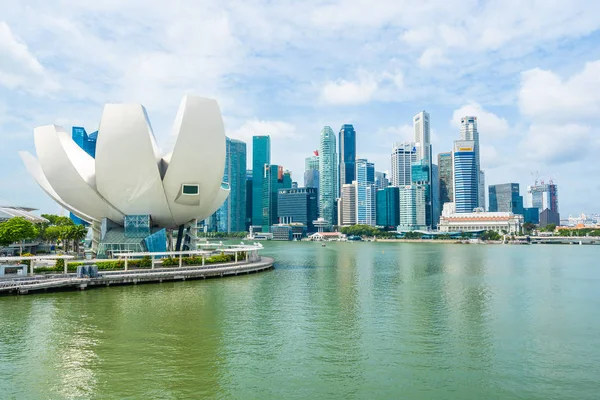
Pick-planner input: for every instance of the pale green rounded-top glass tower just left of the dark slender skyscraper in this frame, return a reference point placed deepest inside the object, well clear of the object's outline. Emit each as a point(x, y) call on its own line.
point(328, 175)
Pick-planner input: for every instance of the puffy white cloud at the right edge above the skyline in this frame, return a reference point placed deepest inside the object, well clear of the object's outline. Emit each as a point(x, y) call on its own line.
point(545, 95)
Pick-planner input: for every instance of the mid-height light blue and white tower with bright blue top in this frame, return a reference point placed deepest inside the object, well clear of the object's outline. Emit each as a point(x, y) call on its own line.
point(365, 192)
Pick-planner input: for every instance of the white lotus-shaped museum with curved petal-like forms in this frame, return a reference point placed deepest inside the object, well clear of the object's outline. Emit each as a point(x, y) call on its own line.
point(128, 175)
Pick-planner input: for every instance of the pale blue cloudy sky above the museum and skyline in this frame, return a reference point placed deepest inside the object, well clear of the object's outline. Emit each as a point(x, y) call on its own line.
point(528, 69)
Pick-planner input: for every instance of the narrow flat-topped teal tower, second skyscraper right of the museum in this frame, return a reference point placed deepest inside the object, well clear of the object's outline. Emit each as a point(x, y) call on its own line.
point(261, 157)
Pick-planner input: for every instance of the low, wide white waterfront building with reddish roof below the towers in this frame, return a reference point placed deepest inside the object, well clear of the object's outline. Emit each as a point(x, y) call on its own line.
point(481, 221)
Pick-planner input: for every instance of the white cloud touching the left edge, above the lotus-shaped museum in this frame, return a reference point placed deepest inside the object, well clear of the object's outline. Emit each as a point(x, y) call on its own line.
point(19, 68)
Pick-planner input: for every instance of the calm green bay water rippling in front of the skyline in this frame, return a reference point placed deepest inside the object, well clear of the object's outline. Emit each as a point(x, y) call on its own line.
point(346, 321)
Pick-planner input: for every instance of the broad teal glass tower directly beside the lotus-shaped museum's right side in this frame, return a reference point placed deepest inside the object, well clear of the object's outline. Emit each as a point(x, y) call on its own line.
point(231, 216)
